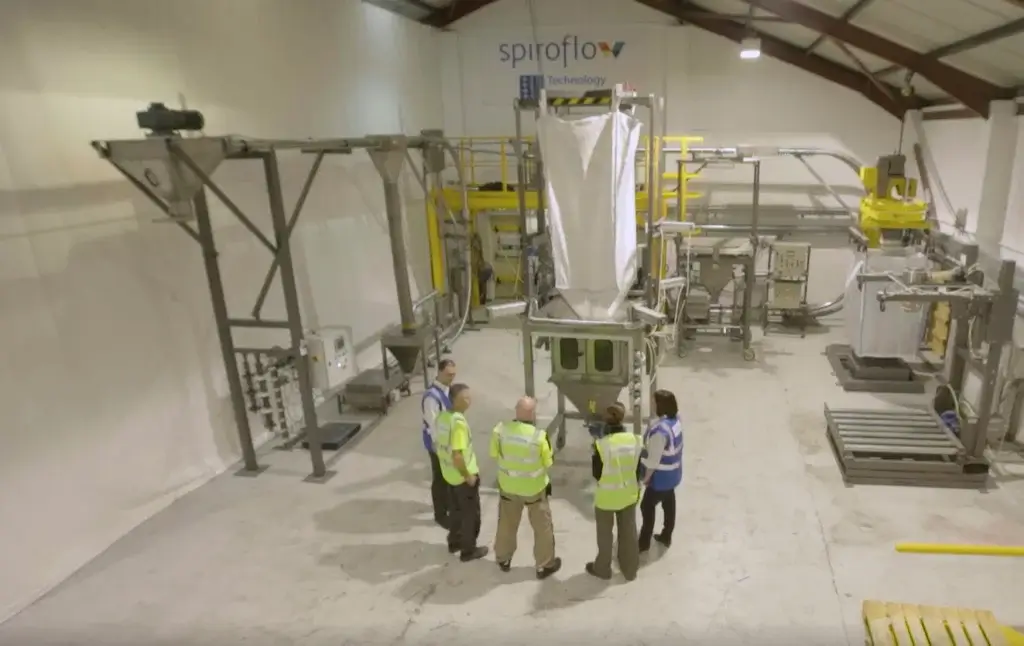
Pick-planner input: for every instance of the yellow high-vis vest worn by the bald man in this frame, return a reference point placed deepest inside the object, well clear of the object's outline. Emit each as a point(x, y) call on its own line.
point(521, 467)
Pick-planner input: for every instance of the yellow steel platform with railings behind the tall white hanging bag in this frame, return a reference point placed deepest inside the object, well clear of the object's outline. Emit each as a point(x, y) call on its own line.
point(490, 161)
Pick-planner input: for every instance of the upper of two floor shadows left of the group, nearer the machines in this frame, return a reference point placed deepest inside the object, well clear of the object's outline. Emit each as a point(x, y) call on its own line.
point(371, 515)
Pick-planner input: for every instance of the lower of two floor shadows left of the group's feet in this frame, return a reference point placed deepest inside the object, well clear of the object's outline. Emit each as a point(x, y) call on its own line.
point(378, 564)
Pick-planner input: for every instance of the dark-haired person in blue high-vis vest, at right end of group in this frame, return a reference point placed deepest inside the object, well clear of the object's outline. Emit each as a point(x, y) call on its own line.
point(663, 466)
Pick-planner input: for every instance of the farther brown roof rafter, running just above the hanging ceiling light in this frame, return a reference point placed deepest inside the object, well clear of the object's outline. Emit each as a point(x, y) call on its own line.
point(890, 101)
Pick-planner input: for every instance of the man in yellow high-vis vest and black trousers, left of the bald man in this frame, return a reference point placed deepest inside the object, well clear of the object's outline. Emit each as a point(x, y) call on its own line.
point(454, 444)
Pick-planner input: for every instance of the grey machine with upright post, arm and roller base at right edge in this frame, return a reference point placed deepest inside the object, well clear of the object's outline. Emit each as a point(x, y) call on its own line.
point(916, 447)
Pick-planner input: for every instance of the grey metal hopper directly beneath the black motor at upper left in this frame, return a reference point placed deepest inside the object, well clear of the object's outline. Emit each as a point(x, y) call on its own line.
point(152, 163)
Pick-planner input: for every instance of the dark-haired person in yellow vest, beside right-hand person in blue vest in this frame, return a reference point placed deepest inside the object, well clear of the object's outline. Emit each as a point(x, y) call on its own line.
point(617, 468)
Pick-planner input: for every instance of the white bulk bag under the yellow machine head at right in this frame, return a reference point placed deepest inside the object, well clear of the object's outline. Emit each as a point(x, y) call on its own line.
point(894, 333)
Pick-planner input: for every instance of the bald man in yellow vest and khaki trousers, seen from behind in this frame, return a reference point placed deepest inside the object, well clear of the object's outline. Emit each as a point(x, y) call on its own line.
point(524, 456)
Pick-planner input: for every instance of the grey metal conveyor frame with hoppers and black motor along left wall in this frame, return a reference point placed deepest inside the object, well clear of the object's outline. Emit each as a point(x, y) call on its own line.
point(176, 174)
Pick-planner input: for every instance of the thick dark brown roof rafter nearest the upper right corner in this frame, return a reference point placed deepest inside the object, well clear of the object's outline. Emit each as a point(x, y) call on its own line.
point(973, 93)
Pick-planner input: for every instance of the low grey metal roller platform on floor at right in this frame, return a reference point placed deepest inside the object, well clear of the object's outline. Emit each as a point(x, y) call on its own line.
point(901, 448)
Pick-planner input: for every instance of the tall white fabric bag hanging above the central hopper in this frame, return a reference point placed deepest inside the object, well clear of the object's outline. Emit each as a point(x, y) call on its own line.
point(590, 169)
